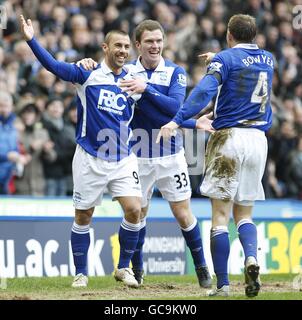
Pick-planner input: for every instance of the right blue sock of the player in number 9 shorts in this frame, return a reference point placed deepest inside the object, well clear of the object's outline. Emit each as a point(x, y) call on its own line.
point(128, 238)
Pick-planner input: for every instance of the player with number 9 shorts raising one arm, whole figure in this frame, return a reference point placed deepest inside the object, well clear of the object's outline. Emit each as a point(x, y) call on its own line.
point(103, 157)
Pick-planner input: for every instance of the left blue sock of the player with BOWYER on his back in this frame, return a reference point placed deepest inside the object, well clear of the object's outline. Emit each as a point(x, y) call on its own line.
point(220, 250)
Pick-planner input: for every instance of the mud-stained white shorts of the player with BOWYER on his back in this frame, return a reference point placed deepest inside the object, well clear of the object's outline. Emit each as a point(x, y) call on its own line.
point(235, 163)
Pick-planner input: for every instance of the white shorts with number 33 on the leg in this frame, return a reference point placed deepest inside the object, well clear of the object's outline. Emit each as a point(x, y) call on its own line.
point(169, 174)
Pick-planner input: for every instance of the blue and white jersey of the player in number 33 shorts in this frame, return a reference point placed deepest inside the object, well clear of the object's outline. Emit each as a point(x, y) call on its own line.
point(159, 103)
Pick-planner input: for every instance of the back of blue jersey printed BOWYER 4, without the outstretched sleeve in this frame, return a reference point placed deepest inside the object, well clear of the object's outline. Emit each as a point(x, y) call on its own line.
point(243, 99)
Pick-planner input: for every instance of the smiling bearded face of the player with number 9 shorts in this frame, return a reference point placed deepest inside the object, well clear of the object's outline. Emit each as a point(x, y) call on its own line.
point(117, 51)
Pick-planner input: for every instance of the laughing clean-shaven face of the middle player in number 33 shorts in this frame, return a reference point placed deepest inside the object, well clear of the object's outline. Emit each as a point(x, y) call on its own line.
point(150, 47)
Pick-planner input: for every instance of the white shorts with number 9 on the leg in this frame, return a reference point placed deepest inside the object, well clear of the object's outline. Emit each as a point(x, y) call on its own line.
point(93, 176)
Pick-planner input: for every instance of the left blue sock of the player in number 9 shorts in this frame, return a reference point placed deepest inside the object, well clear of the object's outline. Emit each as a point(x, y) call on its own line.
point(80, 241)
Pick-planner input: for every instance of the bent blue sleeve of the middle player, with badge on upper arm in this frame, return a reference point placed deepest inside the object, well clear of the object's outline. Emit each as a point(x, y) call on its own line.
point(170, 103)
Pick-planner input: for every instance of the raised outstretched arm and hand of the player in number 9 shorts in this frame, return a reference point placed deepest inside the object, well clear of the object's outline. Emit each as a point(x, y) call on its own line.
point(63, 70)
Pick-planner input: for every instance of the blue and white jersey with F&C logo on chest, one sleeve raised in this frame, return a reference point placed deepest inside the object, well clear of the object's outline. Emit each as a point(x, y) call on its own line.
point(104, 111)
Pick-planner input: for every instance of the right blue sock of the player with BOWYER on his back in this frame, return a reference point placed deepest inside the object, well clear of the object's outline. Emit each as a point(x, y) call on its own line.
point(248, 237)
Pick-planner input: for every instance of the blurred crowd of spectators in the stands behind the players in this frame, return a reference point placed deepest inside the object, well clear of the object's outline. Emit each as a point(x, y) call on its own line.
point(40, 110)
